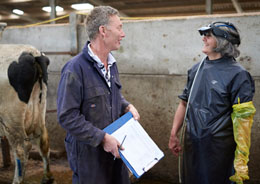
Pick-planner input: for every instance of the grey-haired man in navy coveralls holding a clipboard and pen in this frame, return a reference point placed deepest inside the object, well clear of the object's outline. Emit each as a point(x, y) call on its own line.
point(89, 99)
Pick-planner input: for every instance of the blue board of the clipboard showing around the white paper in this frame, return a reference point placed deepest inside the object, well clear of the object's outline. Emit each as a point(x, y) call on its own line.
point(115, 126)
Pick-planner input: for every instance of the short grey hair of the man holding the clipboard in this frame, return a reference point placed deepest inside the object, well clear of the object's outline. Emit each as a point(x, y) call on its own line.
point(99, 16)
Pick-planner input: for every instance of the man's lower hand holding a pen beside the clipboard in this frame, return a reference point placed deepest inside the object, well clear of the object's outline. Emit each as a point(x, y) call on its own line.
point(111, 145)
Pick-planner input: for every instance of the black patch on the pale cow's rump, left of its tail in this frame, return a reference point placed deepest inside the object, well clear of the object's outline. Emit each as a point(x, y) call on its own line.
point(22, 76)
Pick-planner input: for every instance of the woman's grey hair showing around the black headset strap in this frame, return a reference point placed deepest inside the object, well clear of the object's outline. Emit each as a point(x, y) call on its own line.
point(225, 47)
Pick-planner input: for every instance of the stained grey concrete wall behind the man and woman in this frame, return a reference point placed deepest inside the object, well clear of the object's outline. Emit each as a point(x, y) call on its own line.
point(153, 61)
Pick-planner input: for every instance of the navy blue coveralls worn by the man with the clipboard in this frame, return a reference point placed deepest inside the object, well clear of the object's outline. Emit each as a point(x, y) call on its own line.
point(86, 105)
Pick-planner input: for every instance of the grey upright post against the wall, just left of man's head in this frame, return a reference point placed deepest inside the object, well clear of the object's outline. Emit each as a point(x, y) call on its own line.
point(73, 34)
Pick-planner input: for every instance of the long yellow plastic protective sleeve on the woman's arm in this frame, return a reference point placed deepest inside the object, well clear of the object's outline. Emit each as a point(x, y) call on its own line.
point(242, 118)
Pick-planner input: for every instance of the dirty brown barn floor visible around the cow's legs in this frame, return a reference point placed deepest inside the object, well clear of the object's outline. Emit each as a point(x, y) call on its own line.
point(58, 165)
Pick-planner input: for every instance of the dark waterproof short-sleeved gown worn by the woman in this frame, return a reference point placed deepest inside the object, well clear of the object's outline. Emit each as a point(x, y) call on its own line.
point(209, 144)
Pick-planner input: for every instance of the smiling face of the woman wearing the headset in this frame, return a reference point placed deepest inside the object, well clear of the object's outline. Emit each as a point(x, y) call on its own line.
point(210, 43)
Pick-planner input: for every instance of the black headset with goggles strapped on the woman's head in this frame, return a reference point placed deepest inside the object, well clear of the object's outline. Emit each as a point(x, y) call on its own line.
point(214, 28)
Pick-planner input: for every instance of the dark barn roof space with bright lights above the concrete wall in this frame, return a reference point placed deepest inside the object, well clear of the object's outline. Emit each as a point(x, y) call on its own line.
point(32, 10)
